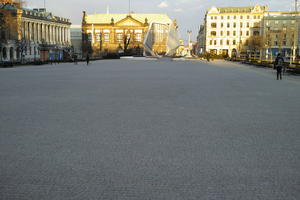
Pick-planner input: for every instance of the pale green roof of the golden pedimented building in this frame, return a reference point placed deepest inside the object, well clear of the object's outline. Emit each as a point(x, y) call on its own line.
point(106, 18)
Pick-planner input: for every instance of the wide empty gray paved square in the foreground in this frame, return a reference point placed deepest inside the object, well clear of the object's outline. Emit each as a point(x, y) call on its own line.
point(135, 130)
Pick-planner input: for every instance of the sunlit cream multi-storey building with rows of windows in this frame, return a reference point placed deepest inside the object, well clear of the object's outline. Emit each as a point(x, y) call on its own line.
point(229, 30)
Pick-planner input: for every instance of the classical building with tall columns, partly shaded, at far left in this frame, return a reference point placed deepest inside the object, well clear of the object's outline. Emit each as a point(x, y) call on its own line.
point(32, 35)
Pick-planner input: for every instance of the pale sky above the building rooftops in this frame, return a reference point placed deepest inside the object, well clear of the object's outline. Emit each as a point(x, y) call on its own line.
point(188, 13)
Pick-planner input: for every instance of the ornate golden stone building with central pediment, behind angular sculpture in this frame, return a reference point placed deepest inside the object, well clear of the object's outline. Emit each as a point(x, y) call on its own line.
point(126, 33)
